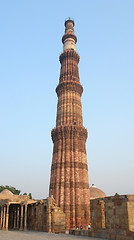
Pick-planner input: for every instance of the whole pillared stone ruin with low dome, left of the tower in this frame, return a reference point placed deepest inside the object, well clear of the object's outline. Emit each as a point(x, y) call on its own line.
point(21, 213)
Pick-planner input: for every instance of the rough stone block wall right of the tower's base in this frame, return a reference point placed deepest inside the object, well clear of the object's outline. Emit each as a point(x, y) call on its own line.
point(111, 218)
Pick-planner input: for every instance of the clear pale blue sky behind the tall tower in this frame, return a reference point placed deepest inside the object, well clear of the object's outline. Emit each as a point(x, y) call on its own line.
point(30, 45)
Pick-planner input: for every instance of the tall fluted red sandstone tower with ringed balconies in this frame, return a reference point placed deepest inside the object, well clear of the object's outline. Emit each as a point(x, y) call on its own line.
point(69, 182)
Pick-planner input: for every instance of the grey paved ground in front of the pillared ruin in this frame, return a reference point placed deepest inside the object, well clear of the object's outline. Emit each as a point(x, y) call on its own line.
point(17, 235)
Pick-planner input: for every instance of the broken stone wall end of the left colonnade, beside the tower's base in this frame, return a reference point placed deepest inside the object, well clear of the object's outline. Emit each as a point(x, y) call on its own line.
point(46, 216)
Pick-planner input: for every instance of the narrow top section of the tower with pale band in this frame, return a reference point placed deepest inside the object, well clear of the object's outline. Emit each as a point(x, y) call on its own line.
point(69, 39)
